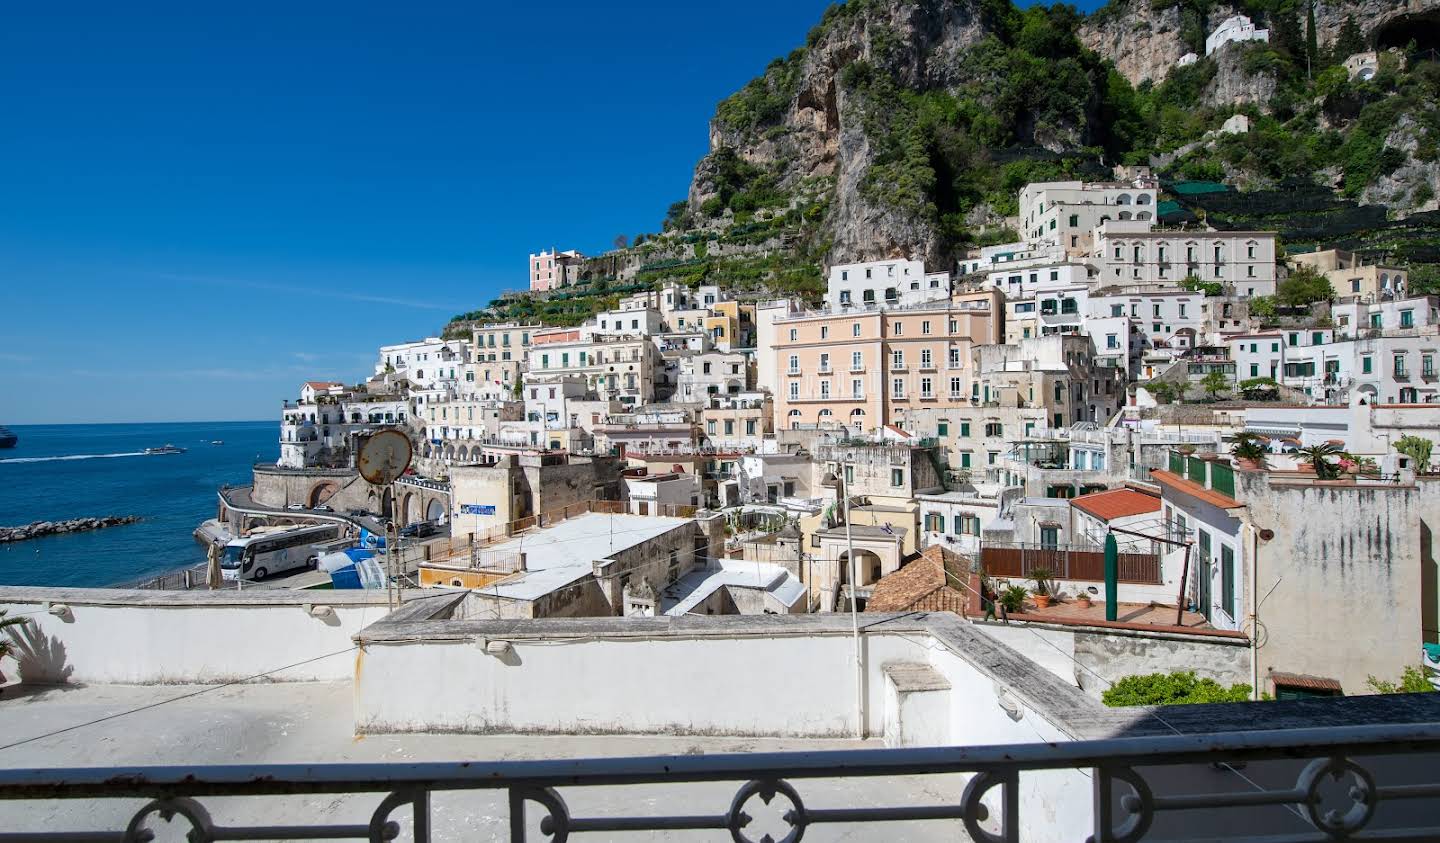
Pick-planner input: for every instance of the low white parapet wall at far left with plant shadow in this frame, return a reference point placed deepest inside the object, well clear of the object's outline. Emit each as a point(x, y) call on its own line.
point(148, 638)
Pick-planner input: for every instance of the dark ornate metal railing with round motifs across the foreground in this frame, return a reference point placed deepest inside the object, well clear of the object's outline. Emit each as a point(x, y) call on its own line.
point(1334, 796)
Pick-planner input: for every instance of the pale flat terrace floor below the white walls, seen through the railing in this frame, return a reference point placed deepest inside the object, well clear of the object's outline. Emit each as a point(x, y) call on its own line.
point(313, 723)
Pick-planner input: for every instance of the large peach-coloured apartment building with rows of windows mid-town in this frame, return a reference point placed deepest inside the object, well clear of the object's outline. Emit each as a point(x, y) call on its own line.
point(860, 367)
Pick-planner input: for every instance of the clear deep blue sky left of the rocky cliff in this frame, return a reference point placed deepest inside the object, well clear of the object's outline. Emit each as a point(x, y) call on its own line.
point(204, 205)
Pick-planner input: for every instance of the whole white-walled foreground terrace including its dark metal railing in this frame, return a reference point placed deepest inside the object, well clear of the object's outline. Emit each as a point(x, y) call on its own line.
point(1026, 757)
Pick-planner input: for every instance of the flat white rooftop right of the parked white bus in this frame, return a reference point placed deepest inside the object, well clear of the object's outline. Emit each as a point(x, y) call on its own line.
point(565, 553)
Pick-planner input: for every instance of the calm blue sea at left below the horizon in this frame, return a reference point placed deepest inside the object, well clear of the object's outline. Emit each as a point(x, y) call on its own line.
point(64, 472)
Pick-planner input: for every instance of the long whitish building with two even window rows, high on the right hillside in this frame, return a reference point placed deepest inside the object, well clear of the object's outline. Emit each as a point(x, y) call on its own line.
point(1131, 253)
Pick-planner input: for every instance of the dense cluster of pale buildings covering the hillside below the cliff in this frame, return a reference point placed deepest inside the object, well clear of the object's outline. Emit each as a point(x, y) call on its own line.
point(960, 439)
